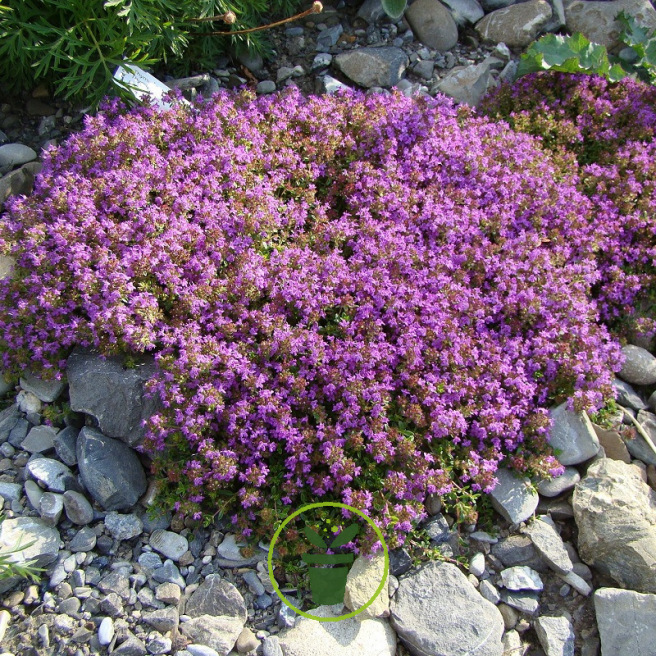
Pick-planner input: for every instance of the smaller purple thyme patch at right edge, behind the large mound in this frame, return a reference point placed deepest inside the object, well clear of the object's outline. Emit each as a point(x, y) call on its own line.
point(608, 129)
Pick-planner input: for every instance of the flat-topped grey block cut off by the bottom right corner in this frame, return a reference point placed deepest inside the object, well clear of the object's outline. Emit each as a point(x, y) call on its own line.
point(626, 622)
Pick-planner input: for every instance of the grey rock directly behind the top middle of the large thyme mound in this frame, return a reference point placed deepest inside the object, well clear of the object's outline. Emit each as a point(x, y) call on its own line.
point(372, 67)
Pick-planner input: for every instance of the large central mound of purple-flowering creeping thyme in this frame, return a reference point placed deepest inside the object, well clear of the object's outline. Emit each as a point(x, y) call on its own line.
point(360, 299)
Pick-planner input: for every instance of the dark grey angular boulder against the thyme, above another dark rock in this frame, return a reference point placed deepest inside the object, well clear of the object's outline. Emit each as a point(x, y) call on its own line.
point(111, 393)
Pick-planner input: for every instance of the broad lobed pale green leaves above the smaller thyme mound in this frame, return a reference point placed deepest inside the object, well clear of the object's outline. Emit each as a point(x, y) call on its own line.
point(576, 54)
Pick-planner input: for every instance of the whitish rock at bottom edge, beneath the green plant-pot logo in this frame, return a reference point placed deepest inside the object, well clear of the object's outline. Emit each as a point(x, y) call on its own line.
point(372, 637)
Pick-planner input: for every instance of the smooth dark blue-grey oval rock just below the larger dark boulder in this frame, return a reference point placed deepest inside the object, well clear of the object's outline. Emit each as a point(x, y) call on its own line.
point(110, 470)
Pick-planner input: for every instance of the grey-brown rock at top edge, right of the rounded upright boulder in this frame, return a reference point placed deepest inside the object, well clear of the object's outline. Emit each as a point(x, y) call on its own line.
point(517, 26)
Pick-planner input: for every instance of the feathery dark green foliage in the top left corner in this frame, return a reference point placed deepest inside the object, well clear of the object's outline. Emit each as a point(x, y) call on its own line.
point(76, 45)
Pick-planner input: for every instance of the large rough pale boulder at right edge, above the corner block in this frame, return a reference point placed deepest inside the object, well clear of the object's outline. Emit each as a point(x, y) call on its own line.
point(615, 512)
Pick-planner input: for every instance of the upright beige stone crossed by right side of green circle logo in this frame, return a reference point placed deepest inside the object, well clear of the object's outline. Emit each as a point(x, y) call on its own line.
point(362, 581)
